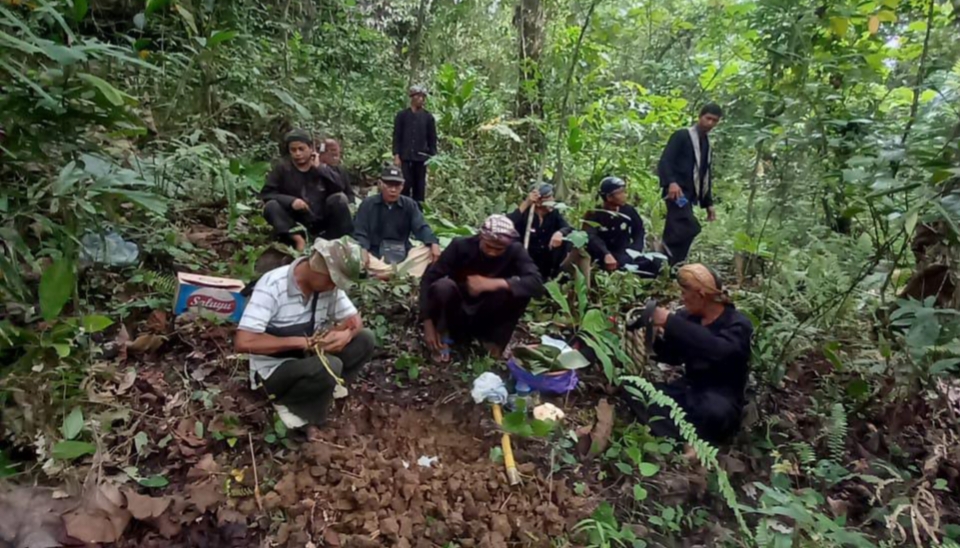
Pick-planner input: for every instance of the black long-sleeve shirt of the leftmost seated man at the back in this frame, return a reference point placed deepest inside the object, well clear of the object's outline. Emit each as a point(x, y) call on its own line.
point(286, 183)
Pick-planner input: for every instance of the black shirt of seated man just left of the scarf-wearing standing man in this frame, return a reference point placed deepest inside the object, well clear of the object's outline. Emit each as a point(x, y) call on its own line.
point(614, 232)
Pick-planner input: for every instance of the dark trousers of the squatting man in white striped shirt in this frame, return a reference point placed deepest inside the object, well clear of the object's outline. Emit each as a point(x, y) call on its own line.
point(306, 388)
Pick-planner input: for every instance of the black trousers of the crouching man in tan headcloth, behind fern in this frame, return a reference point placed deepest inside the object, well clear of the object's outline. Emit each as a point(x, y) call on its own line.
point(715, 414)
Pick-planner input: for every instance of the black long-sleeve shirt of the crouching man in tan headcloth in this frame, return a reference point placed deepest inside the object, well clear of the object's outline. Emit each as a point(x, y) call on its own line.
point(716, 356)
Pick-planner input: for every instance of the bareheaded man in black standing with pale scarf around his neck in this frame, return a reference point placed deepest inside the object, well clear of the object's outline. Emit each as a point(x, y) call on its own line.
point(685, 179)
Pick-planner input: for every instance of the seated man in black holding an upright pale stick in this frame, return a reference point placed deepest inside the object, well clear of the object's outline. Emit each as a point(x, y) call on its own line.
point(546, 245)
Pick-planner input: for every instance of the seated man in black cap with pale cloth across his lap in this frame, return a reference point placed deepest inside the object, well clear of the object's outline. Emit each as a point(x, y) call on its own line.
point(383, 227)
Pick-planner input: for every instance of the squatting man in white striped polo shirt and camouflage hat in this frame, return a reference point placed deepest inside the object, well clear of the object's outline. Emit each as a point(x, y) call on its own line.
point(305, 337)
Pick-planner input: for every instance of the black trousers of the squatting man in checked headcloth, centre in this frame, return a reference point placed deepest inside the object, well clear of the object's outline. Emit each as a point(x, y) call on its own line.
point(491, 317)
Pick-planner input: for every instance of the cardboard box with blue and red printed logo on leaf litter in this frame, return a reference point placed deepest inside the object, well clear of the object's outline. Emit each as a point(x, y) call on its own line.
point(219, 296)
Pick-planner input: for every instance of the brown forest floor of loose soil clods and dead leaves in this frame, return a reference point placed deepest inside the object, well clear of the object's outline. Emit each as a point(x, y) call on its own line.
point(172, 400)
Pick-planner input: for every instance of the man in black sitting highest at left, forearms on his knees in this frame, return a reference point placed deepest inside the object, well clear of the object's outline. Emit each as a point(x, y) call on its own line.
point(301, 190)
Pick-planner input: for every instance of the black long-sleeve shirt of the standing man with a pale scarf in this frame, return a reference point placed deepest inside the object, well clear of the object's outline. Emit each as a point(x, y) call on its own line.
point(677, 164)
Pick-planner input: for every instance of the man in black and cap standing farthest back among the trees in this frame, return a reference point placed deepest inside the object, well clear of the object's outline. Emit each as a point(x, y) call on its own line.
point(414, 142)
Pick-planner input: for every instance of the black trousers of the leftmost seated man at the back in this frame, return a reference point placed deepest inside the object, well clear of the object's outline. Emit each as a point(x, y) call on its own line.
point(331, 223)
